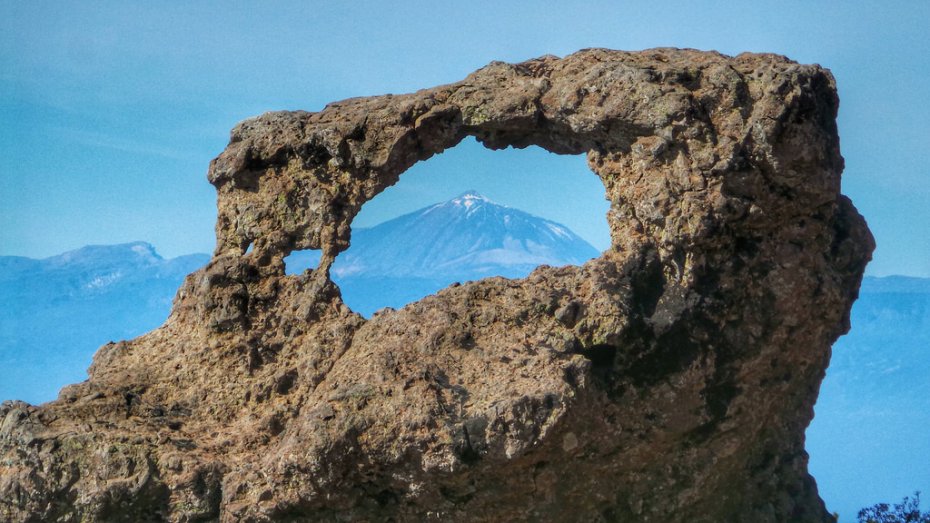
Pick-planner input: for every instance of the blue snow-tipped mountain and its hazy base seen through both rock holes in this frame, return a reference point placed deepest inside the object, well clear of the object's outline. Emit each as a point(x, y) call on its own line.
point(466, 238)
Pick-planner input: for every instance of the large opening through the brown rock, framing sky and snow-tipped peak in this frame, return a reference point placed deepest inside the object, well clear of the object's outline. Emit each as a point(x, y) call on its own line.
point(467, 214)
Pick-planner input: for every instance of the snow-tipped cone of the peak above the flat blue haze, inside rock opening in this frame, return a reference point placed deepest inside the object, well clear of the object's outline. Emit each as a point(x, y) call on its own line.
point(466, 236)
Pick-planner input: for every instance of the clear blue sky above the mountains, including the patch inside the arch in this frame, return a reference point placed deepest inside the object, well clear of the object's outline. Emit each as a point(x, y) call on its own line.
point(111, 111)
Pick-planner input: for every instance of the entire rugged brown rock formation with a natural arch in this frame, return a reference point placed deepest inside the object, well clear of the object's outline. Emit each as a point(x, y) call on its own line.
point(669, 380)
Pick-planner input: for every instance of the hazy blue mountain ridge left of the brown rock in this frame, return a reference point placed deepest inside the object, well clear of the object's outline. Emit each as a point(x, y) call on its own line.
point(55, 312)
